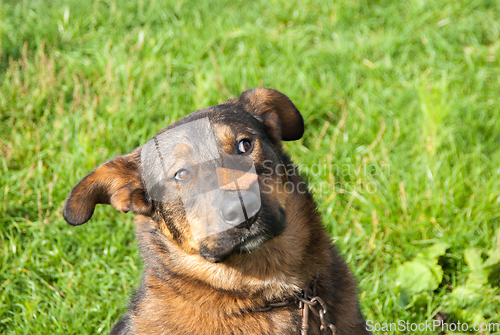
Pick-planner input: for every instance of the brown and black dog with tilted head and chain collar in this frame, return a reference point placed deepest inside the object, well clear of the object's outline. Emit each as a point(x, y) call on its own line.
point(231, 239)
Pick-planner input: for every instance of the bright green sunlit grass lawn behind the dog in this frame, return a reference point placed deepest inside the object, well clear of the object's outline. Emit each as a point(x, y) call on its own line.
point(400, 99)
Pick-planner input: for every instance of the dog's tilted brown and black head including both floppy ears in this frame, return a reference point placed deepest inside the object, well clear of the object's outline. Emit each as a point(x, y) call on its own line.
point(214, 182)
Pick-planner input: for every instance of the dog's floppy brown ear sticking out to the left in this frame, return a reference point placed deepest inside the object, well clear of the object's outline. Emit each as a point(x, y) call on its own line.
point(116, 182)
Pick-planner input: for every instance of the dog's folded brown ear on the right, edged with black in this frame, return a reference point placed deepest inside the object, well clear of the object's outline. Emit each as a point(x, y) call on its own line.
point(279, 115)
